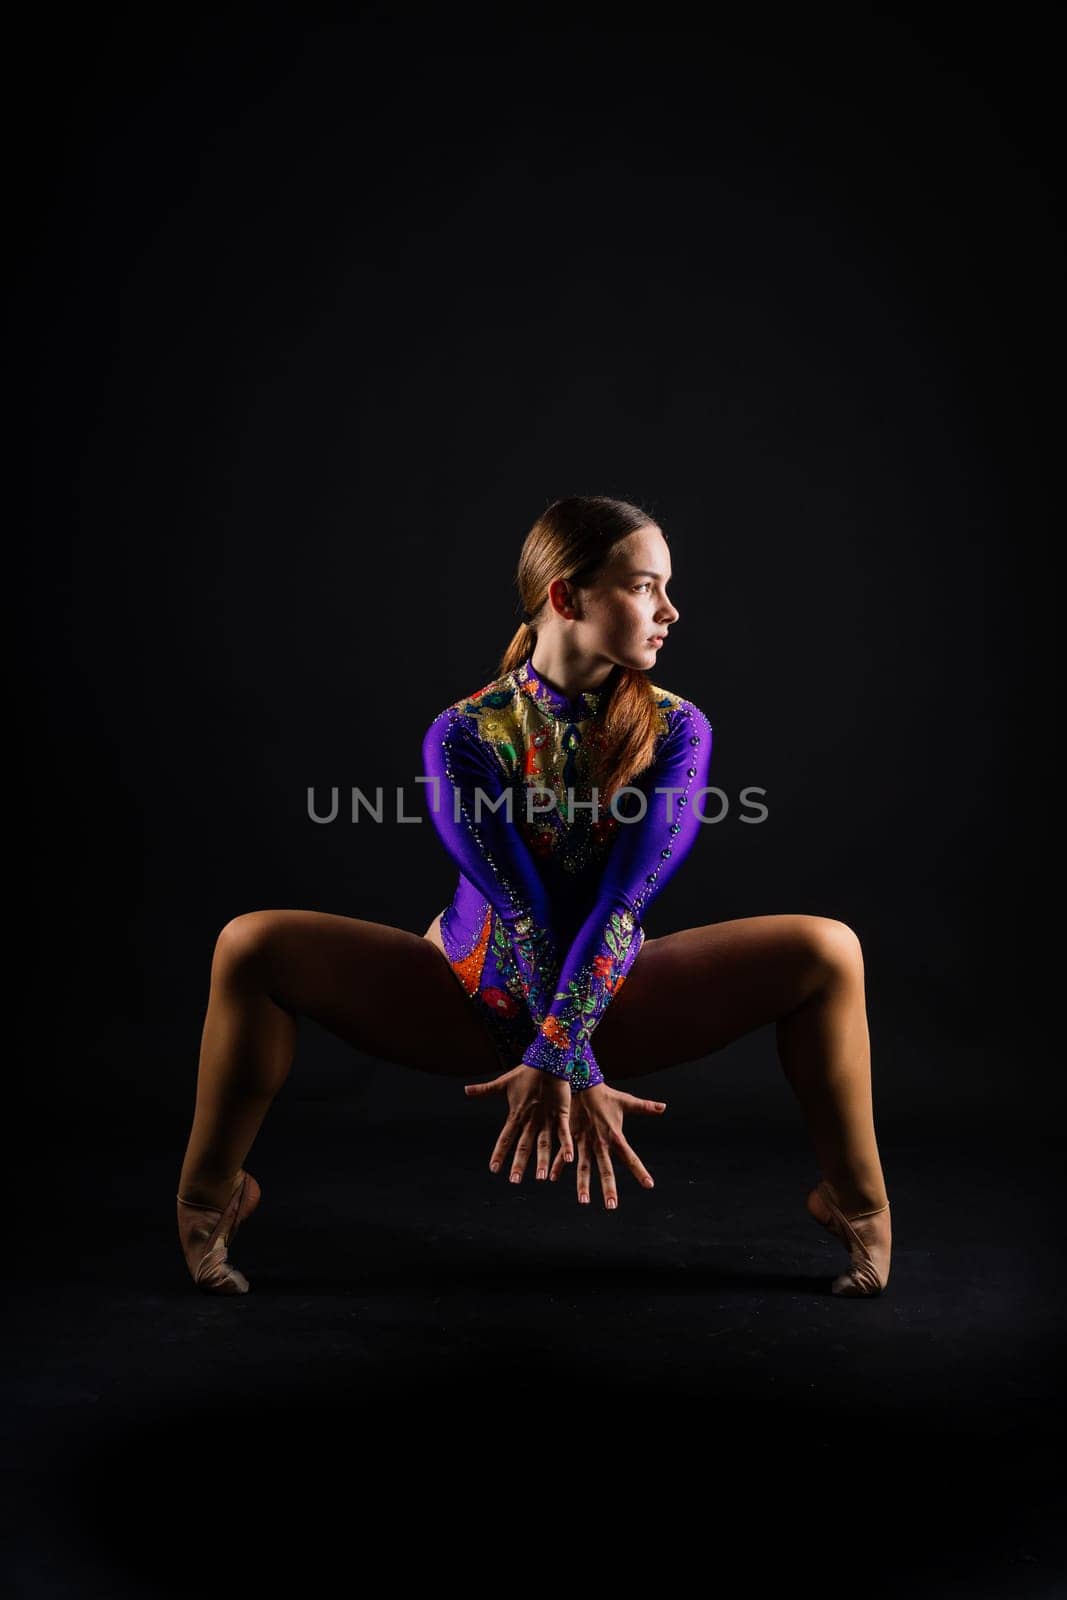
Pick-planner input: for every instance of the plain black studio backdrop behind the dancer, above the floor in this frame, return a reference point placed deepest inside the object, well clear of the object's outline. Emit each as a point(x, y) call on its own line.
point(322, 310)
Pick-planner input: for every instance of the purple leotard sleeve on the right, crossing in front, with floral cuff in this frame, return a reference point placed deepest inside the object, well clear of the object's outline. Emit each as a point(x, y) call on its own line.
point(645, 854)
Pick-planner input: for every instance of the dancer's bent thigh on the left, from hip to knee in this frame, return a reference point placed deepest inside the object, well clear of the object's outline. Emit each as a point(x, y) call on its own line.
point(382, 990)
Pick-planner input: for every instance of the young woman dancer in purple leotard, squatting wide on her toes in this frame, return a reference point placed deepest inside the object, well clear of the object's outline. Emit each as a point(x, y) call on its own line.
point(567, 791)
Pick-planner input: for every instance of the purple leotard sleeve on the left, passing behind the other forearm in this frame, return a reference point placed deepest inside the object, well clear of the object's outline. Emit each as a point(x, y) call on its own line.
point(489, 849)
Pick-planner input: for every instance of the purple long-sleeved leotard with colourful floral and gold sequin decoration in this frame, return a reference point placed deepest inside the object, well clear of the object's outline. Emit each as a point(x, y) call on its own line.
point(546, 919)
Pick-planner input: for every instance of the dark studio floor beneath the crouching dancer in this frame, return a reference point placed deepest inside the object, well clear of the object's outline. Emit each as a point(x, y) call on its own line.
point(430, 1354)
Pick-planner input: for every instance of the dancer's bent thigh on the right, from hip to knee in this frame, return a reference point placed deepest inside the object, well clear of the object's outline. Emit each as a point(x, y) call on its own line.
point(693, 993)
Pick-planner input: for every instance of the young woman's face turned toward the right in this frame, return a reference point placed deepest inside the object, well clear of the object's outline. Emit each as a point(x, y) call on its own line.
point(628, 606)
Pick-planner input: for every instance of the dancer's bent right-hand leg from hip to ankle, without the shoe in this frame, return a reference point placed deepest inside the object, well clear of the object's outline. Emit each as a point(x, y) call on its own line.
point(693, 993)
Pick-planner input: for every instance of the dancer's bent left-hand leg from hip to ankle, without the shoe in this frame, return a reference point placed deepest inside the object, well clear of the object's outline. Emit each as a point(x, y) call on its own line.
point(382, 990)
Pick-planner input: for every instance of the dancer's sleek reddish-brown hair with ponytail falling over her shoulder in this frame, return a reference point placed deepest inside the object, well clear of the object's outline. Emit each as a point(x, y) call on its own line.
point(575, 540)
